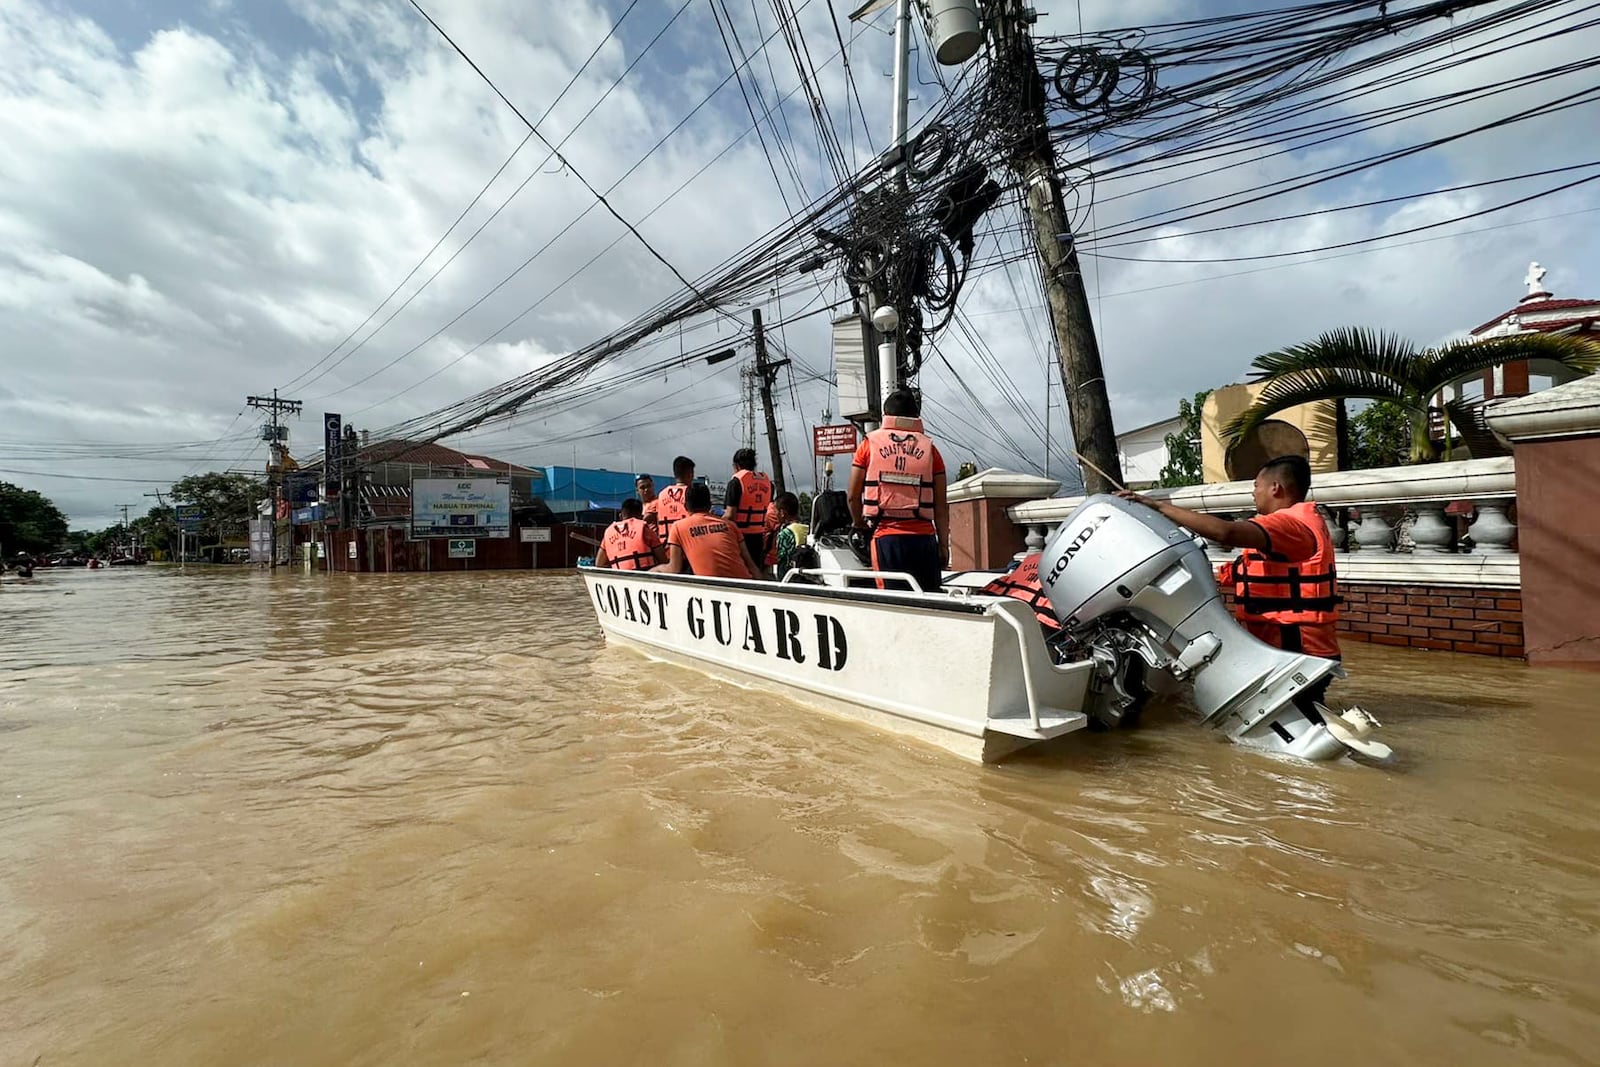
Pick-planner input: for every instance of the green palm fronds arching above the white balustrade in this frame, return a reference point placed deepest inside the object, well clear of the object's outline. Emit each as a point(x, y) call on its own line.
point(1354, 364)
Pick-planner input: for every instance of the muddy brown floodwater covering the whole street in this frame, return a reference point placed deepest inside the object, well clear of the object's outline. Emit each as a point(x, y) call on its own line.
point(294, 818)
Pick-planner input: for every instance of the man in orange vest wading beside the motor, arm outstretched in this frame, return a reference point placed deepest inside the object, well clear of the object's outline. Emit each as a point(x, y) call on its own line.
point(1284, 580)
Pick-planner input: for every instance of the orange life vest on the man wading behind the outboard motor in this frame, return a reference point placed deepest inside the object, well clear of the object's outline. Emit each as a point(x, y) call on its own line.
point(1292, 596)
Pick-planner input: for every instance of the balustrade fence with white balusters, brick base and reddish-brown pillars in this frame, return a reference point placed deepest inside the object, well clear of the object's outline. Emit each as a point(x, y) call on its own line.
point(1494, 557)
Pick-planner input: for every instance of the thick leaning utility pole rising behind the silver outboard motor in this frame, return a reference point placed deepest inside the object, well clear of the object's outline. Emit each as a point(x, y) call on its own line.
point(1034, 161)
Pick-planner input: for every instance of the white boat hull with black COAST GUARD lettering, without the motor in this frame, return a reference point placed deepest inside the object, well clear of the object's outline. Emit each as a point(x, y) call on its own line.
point(969, 674)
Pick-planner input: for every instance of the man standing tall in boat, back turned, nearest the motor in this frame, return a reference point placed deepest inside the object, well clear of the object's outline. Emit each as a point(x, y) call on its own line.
point(897, 484)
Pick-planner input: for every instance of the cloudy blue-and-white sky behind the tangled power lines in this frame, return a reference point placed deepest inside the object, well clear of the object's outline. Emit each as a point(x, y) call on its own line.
point(210, 199)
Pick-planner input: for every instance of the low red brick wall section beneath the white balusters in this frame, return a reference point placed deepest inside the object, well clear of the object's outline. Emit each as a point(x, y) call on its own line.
point(1446, 618)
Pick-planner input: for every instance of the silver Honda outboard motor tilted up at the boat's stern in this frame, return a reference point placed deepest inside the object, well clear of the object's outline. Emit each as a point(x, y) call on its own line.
point(1127, 583)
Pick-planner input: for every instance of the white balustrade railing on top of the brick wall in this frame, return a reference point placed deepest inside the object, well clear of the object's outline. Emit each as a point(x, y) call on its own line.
point(1422, 548)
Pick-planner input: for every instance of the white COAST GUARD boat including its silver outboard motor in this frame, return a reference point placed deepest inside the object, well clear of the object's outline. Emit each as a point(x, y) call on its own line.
point(1142, 617)
